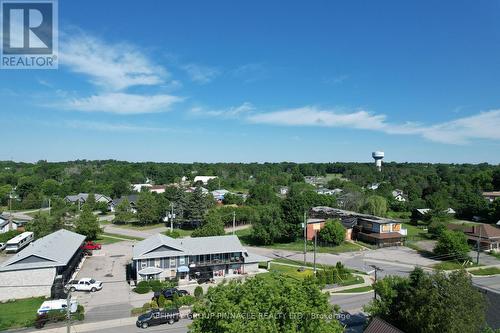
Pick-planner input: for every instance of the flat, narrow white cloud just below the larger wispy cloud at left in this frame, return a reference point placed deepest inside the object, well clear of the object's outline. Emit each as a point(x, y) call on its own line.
point(122, 103)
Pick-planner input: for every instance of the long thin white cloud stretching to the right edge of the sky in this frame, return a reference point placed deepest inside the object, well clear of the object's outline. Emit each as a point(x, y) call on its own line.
point(484, 125)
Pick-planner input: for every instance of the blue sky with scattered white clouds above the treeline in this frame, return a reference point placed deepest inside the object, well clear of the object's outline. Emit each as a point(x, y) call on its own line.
point(257, 81)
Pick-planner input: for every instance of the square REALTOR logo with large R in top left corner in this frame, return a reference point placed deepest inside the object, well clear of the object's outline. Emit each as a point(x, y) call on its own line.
point(29, 34)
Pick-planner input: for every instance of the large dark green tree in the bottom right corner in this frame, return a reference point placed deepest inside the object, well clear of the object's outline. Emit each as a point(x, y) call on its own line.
point(429, 303)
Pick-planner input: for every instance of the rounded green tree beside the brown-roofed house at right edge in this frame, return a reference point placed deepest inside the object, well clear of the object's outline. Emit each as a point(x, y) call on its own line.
point(453, 245)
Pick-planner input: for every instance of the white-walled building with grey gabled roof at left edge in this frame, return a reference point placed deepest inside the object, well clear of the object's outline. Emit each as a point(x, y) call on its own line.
point(40, 264)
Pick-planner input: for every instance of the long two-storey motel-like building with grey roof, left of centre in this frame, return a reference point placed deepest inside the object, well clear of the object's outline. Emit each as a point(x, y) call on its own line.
point(162, 257)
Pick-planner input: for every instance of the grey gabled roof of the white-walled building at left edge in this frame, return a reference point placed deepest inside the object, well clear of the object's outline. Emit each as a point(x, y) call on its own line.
point(55, 249)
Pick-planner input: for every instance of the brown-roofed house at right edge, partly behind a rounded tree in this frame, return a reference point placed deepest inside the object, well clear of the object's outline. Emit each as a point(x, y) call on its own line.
point(487, 235)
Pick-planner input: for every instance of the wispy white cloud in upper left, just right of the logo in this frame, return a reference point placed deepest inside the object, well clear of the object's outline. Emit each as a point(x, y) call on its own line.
point(110, 66)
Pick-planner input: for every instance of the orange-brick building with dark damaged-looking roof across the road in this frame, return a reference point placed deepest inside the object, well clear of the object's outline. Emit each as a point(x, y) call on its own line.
point(368, 228)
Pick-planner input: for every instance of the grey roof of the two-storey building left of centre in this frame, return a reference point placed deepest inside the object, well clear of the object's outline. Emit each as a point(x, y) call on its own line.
point(159, 246)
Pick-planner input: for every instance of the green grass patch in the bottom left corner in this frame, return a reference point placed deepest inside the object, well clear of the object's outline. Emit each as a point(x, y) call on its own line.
point(20, 313)
